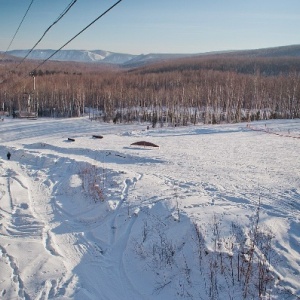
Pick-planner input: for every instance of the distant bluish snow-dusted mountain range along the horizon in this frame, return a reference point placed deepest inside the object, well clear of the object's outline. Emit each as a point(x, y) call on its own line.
point(101, 56)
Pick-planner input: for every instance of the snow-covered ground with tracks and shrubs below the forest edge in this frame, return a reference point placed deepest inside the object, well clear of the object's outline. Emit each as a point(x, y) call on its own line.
point(213, 213)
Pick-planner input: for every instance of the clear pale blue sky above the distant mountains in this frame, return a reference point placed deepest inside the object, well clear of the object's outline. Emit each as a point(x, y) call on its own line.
point(153, 26)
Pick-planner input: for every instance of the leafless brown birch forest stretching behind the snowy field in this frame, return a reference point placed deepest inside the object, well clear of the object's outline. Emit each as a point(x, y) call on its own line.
point(202, 89)
